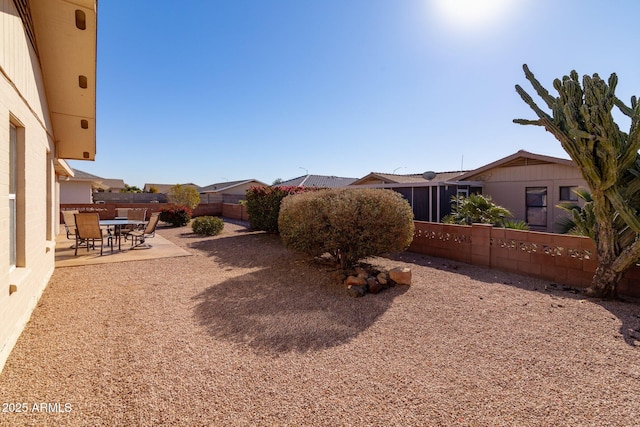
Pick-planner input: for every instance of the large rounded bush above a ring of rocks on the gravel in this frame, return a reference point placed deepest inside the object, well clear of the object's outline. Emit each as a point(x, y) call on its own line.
point(348, 224)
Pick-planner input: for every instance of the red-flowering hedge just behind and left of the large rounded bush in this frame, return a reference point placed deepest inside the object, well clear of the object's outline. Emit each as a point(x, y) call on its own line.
point(263, 205)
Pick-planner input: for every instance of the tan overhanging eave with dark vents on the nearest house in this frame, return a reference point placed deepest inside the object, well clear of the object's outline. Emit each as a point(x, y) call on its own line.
point(68, 62)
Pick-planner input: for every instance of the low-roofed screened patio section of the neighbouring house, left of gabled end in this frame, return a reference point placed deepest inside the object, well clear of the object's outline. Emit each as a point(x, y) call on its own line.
point(429, 194)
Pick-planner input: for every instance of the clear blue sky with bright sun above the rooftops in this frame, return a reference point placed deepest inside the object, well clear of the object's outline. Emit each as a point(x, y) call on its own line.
point(207, 91)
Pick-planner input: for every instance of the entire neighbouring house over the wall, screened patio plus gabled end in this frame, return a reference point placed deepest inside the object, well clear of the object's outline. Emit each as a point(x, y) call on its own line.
point(529, 185)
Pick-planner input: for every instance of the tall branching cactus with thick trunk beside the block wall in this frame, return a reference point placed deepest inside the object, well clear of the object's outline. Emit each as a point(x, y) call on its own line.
point(581, 119)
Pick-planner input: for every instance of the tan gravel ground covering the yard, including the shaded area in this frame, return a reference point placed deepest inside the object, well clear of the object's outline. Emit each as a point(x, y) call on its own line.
point(245, 333)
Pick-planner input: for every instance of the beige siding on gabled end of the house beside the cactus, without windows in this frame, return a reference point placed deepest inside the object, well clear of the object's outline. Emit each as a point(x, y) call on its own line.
point(507, 187)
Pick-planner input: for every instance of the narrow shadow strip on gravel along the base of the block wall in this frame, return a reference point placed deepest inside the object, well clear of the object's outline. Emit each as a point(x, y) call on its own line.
point(626, 310)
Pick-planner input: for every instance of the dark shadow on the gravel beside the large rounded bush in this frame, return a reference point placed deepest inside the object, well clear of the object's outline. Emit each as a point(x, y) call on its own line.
point(279, 301)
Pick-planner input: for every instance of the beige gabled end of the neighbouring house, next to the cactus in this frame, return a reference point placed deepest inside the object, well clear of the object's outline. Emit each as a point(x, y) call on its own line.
point(530, 186)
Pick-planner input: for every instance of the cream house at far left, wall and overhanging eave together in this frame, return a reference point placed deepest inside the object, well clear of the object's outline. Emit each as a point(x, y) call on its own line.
point(47, 114)
